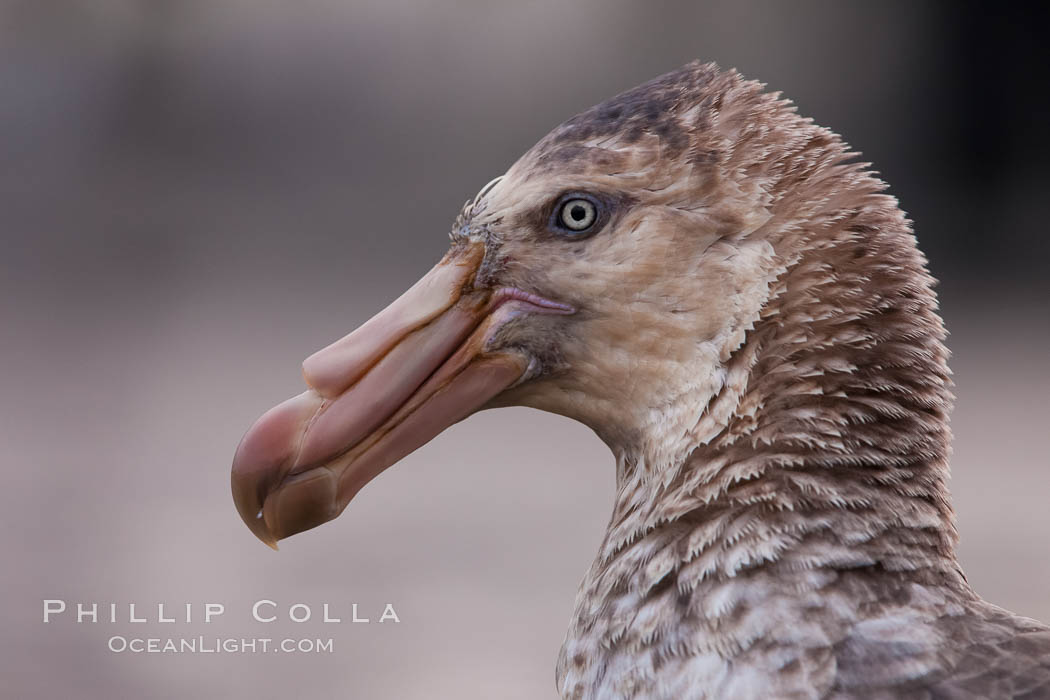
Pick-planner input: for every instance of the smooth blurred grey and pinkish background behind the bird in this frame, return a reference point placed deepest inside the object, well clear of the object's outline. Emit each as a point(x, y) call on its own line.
point(197, 195)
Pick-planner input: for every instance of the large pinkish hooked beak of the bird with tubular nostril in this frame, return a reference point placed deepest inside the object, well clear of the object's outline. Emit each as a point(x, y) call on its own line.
point(375, 396)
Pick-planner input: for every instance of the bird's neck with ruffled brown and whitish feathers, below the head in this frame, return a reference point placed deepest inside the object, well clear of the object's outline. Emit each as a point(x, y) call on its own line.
point(826, 452)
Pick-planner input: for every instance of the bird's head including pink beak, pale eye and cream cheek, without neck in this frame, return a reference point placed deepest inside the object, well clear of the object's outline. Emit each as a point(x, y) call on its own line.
point(610, 275)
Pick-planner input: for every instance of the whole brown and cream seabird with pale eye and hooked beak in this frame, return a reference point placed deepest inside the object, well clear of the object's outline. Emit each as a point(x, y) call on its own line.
point(732, 302)
